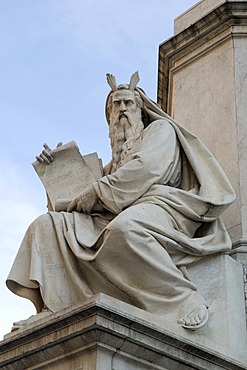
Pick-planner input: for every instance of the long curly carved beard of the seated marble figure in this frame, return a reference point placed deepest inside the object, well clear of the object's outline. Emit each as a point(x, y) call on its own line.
point(123, 132)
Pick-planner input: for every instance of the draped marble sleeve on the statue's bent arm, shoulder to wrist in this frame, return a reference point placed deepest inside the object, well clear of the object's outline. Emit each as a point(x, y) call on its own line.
point(151, 162)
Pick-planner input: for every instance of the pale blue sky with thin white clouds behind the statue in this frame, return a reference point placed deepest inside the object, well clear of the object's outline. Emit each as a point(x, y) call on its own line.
point(54, 56)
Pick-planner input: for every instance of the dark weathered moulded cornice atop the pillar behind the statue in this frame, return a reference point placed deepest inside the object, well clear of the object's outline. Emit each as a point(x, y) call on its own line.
point(217, 24)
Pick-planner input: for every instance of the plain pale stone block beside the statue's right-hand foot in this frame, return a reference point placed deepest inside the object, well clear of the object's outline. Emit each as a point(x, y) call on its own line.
point(220, 281)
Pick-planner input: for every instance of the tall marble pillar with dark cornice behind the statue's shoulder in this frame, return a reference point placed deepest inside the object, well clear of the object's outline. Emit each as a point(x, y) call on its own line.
point(203, 84)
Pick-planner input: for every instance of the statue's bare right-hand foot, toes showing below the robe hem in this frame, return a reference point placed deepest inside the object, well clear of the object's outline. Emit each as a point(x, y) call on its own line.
point(196, 318)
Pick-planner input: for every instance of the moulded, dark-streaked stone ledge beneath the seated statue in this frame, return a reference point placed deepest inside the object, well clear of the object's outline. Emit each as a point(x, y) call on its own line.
point(104, 333)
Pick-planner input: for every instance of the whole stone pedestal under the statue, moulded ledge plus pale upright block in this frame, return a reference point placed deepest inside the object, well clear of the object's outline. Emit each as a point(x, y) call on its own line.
point(104, 333)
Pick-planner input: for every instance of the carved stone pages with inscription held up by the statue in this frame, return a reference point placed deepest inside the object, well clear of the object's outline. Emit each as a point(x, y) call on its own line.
point(68, 175)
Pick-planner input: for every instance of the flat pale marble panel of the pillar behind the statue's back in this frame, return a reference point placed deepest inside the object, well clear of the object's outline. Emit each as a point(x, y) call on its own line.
point(217, 129)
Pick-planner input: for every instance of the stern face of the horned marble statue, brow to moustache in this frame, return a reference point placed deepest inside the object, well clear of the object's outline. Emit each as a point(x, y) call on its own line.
point(124, 101)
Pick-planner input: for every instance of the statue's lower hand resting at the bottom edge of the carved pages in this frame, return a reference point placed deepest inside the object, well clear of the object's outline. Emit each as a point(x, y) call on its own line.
point(84, 202)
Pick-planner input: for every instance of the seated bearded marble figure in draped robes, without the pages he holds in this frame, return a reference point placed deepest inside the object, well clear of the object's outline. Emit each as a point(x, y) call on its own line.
point(161, 197)
